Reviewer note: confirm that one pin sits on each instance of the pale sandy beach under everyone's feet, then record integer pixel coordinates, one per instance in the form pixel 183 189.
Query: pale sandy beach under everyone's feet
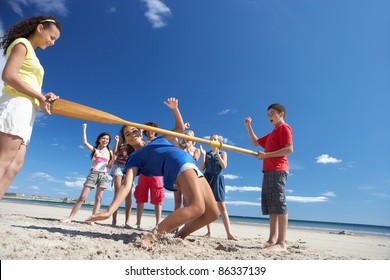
pixel 34 232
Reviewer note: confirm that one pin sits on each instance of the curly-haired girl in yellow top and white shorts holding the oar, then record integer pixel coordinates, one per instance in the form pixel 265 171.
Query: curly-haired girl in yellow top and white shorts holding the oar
pixel 22 91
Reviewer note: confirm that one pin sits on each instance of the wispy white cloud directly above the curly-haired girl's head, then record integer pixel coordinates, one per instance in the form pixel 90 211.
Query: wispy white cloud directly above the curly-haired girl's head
pixel 45 6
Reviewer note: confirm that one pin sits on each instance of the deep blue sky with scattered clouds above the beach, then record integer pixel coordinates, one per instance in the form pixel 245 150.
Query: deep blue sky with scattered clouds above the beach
pixel 326 61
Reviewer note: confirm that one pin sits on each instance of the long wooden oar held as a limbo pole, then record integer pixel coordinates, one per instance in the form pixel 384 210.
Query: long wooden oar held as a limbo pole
pixel 74 110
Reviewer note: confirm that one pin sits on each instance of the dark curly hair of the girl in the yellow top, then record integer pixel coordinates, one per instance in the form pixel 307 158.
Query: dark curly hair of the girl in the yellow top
pixel 24 28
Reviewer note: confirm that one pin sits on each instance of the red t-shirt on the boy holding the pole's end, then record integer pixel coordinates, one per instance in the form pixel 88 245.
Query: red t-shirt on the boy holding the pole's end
pixel 273 141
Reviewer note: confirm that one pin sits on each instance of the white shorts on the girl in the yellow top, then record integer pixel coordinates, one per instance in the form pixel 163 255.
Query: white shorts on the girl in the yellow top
pixel 17 116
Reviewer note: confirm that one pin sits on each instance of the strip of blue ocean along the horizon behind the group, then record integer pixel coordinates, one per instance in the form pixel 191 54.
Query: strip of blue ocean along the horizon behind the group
pixel 299 224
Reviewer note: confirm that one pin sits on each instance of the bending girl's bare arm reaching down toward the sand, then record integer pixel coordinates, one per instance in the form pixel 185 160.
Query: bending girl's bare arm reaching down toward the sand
pixel 118 199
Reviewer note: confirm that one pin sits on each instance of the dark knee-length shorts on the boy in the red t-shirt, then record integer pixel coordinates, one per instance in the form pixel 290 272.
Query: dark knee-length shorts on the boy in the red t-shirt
pixel 273 193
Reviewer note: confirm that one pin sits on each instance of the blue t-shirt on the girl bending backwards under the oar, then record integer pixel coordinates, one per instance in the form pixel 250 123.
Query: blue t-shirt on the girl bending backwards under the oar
pixel 160 158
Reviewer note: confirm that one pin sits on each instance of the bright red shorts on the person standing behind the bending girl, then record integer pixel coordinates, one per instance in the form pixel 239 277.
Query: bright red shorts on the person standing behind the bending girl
pixel 152 183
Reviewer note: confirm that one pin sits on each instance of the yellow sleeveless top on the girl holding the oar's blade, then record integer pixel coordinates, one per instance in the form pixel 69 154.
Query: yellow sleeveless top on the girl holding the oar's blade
pixel 31 72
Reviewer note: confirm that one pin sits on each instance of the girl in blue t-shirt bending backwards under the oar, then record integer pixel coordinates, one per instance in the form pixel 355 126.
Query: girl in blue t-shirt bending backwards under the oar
pixel 162 158
